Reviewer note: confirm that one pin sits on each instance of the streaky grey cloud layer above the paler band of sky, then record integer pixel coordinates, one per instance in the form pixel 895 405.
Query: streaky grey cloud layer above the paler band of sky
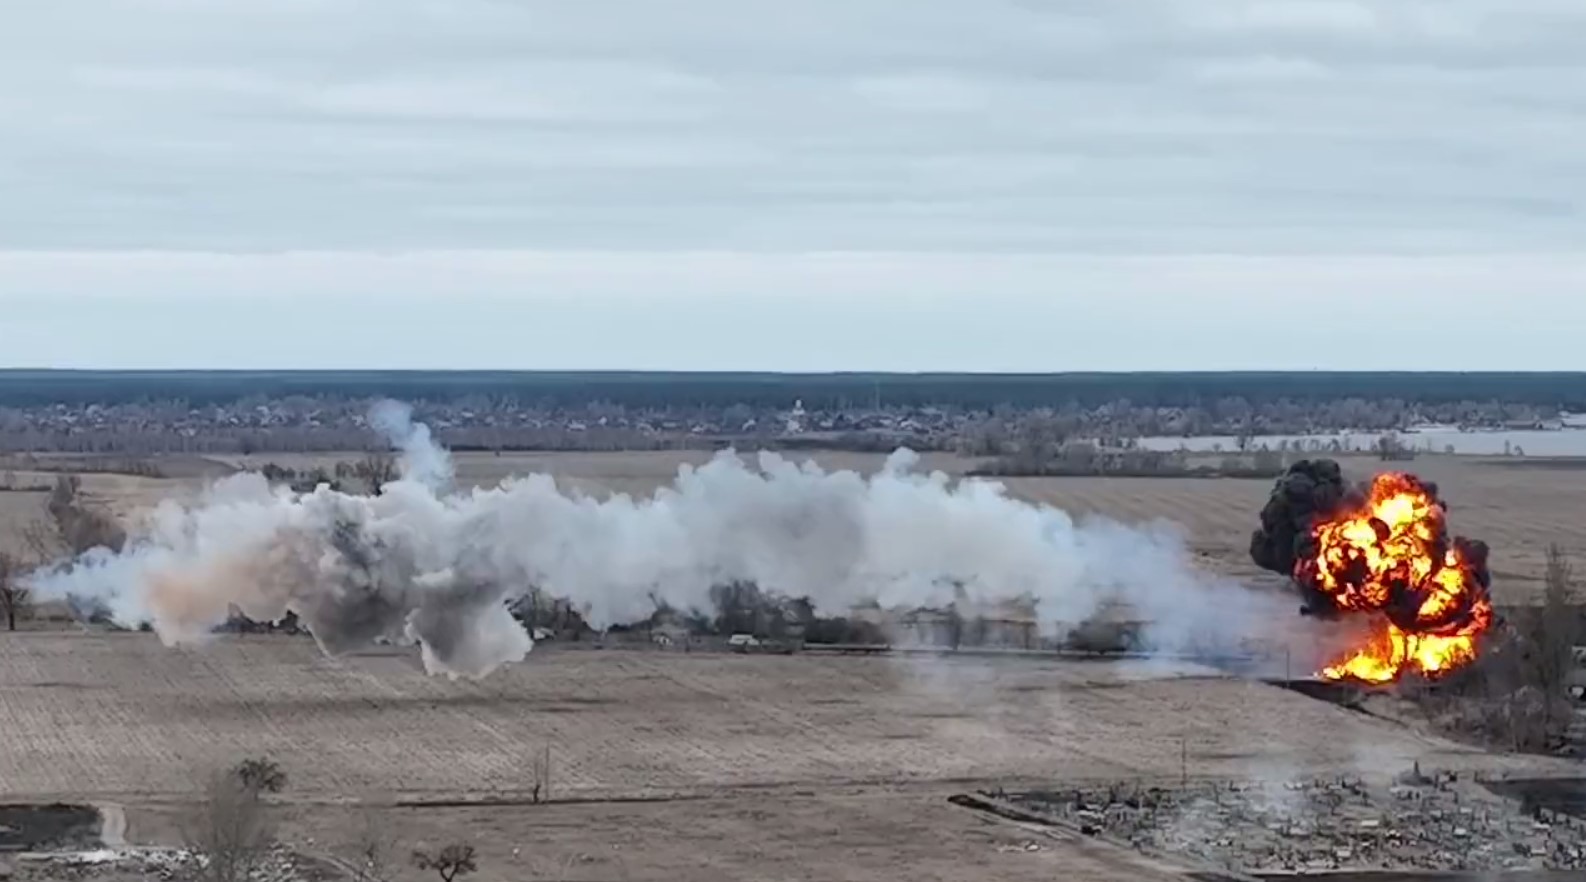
pixel 1087 126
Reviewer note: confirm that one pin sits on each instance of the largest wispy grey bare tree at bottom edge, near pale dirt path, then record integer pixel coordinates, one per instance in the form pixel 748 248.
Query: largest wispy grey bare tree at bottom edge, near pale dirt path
pixel 229 829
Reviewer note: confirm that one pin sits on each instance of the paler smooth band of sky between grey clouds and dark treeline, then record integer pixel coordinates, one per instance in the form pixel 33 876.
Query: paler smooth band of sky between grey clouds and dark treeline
pixel 780 312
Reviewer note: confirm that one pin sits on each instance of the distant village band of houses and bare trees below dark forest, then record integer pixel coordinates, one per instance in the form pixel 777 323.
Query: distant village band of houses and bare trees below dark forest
pixel 477 423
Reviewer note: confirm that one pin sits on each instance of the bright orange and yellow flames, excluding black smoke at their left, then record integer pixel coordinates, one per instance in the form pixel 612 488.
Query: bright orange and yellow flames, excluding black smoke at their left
pixel 1392 556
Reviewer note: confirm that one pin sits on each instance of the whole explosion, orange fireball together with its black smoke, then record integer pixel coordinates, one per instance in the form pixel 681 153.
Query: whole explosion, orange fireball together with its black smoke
pixel 1381 550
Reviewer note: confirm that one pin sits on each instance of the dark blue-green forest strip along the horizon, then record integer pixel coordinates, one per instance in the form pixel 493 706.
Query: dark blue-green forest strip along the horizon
pixel 635 389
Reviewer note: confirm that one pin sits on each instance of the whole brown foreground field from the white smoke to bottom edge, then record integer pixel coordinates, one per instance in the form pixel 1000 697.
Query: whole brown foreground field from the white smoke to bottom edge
pixel 765 767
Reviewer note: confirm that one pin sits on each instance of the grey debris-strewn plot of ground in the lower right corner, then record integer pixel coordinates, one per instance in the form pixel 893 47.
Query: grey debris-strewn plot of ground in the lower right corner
pixel 1414 823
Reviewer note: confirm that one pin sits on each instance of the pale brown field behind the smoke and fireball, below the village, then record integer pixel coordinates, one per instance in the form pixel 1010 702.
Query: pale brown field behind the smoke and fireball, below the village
pixel 1519 512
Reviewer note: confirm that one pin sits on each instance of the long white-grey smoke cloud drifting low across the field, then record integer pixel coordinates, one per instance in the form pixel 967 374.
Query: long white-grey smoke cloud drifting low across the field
pixel 423 564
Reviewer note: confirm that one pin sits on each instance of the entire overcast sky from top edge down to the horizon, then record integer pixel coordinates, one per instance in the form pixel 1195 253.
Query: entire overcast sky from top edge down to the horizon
pixel 814 185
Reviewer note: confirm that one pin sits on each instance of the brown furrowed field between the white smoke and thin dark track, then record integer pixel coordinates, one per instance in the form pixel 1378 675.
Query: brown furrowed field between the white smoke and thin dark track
pixel 121 716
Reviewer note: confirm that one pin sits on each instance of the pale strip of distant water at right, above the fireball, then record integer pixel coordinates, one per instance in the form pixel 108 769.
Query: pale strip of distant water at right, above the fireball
pixel 1531 443
